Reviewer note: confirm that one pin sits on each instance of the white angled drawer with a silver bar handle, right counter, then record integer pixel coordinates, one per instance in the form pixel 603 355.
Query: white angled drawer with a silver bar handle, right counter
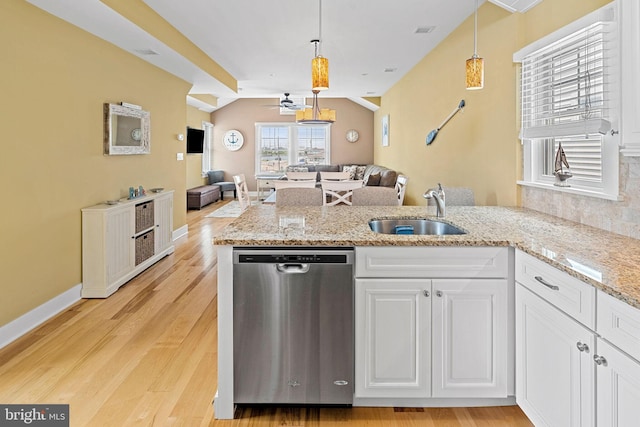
pixel 569 294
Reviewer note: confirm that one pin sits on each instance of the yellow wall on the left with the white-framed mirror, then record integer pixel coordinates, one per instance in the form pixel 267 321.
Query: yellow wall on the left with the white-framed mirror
pixel 55 79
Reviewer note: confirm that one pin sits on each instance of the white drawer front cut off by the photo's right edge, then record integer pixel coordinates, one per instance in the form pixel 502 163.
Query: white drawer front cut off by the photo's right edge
pixel 619 323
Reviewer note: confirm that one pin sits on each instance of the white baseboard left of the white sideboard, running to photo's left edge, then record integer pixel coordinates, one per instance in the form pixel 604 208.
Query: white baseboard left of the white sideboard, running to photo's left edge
pixel 23 324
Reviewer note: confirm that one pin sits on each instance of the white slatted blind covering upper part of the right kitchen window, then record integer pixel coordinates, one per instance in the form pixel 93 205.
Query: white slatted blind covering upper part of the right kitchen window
pixel 566 85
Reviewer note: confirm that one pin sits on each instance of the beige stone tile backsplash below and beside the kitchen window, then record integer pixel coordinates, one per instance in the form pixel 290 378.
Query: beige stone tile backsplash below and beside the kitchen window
pixel 621 217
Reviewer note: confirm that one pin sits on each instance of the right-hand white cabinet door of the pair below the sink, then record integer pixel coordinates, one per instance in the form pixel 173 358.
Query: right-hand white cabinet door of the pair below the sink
pixel 469 332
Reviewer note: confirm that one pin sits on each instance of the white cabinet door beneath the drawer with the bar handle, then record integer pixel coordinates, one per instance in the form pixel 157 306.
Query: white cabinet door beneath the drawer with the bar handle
pixel 554 378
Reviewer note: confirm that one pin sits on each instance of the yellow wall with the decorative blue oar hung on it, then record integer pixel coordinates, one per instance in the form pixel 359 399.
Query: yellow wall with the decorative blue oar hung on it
pixel 479 147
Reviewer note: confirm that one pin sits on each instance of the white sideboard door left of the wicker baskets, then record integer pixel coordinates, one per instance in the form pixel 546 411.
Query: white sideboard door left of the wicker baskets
pixel 120 246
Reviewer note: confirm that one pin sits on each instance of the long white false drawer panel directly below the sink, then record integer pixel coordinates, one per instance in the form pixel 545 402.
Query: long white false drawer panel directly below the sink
pixel 432 262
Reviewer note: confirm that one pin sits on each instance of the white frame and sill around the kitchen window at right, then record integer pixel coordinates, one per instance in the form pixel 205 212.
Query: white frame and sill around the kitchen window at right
pixel 534 148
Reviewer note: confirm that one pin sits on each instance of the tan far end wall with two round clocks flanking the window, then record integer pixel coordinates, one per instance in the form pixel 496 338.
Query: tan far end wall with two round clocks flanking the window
pixel 244 113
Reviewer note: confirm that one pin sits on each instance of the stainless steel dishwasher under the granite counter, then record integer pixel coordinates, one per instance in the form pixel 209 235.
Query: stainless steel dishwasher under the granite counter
pixel 293 326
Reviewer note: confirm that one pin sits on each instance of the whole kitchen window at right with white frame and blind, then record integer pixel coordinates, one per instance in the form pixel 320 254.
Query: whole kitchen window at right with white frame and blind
pixel 568 94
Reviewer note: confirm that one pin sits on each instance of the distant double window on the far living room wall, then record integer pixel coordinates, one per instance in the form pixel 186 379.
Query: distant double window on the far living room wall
pixel 282 144
